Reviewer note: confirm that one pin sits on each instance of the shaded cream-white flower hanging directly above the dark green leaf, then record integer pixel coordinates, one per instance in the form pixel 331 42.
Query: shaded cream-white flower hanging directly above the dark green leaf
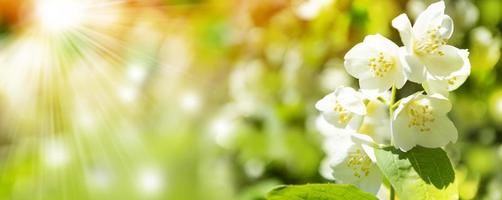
pixel 421 120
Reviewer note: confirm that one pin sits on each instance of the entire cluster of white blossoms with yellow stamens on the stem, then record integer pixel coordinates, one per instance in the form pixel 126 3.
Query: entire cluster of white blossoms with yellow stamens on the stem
pixel 382 66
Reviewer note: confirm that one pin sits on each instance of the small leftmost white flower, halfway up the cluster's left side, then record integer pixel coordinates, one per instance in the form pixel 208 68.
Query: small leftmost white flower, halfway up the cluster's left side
pixel 342 107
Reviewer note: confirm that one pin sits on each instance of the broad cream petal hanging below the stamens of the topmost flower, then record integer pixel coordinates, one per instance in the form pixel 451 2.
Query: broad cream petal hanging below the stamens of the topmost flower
pixel 444 65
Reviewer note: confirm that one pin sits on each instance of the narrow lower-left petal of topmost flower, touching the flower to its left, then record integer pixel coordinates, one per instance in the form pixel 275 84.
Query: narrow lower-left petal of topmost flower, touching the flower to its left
pixel 414 69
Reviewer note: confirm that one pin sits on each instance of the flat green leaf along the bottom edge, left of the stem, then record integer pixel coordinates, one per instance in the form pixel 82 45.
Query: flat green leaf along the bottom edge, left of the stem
pixel 319 192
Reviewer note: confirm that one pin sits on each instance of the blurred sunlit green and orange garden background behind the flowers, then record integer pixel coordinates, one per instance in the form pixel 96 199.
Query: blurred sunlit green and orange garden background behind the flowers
pixel 208 99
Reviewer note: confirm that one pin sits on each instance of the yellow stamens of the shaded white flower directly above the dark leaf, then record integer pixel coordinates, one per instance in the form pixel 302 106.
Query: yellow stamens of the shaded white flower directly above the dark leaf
pixel 420 116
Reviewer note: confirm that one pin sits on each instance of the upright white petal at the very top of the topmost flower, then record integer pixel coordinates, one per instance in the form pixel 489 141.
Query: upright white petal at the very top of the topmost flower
pixel 424 20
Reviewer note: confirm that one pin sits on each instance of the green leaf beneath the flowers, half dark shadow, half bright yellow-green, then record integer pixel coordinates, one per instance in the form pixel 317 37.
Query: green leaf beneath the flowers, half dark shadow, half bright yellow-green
pixel 421 173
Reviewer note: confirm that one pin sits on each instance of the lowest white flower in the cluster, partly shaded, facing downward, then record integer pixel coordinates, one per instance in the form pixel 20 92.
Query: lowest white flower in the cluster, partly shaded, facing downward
pixel 352 160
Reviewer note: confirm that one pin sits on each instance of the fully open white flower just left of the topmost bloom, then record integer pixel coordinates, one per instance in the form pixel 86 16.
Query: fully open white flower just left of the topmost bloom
pixel 375 62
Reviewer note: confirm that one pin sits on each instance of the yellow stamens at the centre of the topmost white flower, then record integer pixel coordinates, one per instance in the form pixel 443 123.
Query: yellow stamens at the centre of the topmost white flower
pixel 429 44
